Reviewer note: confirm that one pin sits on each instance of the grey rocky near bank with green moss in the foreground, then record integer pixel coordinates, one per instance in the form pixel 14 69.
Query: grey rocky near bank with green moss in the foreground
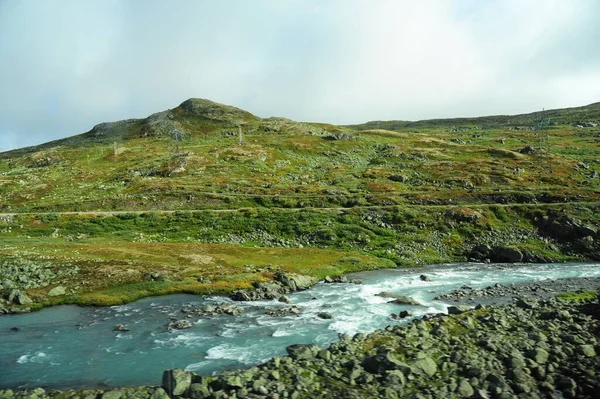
pixel 533 348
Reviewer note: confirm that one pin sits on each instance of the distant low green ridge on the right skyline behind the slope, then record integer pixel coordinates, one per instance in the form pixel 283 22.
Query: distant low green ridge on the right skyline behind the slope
pixel 557 116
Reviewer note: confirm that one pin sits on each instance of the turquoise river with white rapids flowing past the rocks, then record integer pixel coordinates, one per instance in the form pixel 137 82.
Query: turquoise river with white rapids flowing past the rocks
pixel 71 347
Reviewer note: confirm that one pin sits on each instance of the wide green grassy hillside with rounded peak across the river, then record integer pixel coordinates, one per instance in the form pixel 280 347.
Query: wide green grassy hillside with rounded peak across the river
pixel 415 196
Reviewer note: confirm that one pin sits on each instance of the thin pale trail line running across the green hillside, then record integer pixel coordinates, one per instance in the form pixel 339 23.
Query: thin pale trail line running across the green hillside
pixel 172 211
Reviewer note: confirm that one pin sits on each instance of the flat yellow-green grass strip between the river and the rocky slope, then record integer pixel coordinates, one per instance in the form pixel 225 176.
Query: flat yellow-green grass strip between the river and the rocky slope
pixel 115 272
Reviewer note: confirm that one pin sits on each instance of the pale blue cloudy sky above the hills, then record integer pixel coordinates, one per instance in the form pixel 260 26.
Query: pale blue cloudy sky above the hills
pixel 67 65
